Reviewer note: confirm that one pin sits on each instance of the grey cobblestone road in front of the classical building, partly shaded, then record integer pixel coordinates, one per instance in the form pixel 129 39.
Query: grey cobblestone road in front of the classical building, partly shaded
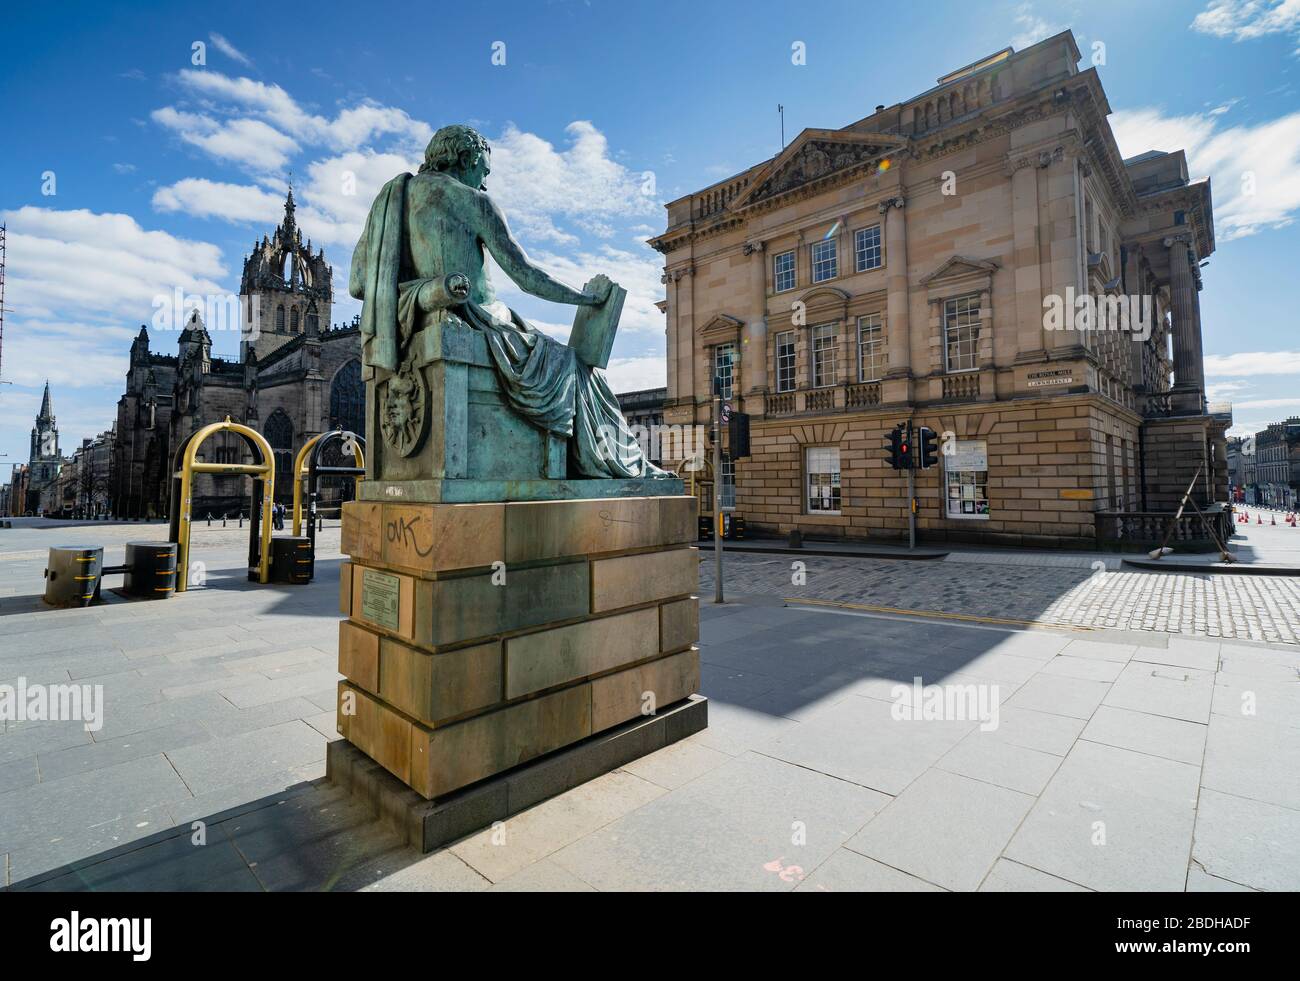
pixel 1240 607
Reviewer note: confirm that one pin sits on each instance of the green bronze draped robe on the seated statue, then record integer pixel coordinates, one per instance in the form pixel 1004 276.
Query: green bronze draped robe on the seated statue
pixel 543 380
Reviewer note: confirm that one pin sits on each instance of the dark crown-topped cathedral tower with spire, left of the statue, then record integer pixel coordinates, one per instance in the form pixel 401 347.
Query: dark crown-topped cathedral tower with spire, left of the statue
pixel 287 290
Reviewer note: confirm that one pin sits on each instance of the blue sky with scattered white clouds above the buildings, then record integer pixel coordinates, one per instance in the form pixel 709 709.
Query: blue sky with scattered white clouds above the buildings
pixel 166 172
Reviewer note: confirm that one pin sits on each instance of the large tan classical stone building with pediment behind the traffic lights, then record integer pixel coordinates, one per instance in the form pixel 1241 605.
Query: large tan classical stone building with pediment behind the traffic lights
pixel 929 263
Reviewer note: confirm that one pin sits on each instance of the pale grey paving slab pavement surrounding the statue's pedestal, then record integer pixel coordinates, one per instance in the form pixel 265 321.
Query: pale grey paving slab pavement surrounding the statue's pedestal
pixel 1120 759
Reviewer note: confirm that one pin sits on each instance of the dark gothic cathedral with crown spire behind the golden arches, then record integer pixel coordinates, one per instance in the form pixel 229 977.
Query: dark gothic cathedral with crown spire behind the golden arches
pixel 296 377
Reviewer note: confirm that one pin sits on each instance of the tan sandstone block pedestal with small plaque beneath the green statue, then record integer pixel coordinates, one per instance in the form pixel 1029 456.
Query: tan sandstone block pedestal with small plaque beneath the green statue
pixel 483 636
